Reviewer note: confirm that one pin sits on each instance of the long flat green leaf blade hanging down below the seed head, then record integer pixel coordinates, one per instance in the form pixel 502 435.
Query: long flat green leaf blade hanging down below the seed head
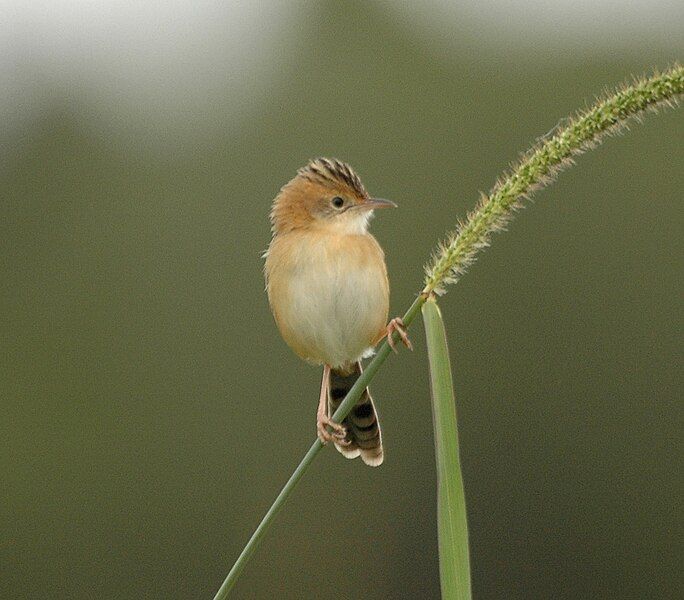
pixel 452 526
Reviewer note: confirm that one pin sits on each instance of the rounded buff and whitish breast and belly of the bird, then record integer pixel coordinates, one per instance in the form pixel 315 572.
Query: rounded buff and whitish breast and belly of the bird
pixel 330 298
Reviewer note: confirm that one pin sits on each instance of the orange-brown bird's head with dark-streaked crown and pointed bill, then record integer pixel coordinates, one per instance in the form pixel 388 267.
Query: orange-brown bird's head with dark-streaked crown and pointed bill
pixel 326 193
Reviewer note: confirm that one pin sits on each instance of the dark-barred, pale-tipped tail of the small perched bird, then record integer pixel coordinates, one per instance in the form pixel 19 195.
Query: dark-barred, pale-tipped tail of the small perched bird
pixel 363 428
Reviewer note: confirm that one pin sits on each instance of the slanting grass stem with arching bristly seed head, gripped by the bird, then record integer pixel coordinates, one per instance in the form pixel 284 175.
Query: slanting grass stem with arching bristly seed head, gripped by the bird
pixel 536 169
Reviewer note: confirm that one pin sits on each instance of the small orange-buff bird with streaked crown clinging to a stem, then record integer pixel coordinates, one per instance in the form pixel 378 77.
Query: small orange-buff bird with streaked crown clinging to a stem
pixel 328 290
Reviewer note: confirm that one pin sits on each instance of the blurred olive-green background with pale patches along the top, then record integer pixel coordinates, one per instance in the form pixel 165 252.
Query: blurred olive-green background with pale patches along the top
pixel 150 410
